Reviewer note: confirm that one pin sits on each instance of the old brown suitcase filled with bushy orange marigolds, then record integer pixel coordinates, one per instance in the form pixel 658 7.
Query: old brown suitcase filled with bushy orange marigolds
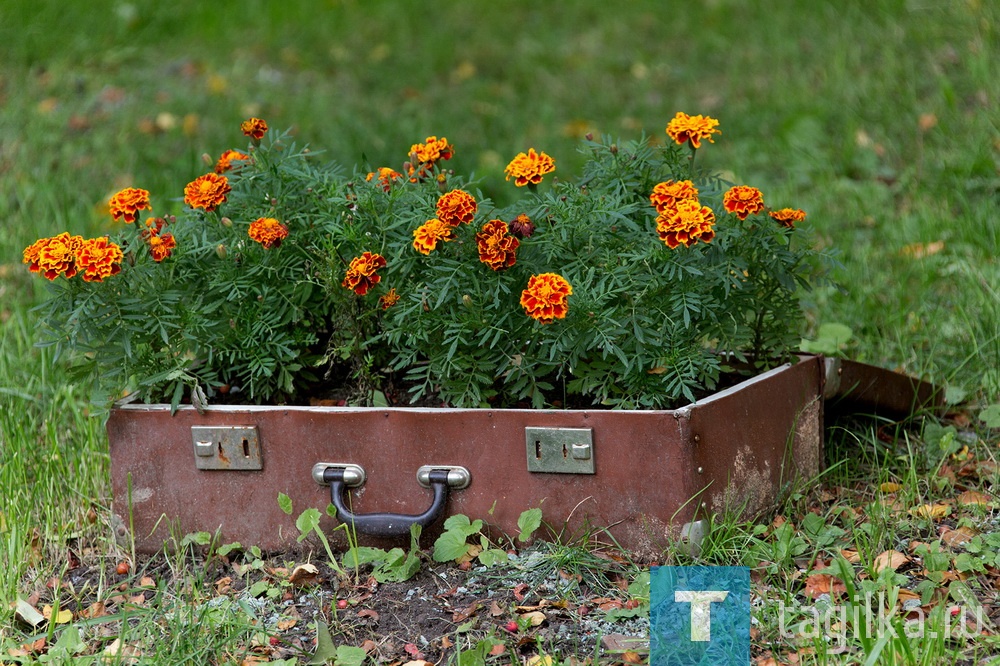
pixel 642 283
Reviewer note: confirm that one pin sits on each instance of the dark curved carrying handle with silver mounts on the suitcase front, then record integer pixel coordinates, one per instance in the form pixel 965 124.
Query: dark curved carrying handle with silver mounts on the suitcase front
pixel 438 479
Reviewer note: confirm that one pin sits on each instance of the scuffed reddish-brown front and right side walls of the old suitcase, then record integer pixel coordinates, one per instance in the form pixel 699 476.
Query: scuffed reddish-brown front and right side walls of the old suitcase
pixel 653 471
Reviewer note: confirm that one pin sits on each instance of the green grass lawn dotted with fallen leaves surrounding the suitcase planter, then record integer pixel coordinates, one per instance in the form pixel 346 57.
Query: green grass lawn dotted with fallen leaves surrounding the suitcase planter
pixel 878 118
